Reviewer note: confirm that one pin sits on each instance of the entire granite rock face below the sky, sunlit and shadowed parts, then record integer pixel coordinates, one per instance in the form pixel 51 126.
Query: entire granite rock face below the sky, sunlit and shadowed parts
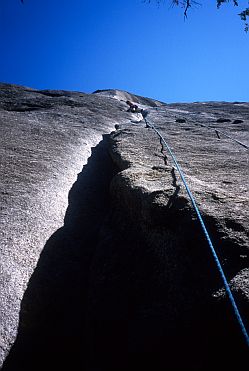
pixel 102 257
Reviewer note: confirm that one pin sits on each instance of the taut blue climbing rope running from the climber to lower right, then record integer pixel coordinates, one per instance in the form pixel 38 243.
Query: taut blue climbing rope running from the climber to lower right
pixel 220 269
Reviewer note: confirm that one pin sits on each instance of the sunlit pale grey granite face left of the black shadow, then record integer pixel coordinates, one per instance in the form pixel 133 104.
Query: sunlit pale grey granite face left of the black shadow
pixel 46 138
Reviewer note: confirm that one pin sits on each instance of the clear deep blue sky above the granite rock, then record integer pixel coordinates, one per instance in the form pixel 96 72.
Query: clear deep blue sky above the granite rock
pixel 86 45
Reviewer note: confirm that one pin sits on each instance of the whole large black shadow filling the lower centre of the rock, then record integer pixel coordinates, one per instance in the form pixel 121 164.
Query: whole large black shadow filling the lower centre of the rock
pixel 114 292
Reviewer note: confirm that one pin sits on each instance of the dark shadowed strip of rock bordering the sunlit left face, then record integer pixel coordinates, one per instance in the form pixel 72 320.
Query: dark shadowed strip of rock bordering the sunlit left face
pixel 52 327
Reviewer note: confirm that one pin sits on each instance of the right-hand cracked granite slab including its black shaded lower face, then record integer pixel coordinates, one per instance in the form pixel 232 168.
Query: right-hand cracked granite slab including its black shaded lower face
pixel 157 270
